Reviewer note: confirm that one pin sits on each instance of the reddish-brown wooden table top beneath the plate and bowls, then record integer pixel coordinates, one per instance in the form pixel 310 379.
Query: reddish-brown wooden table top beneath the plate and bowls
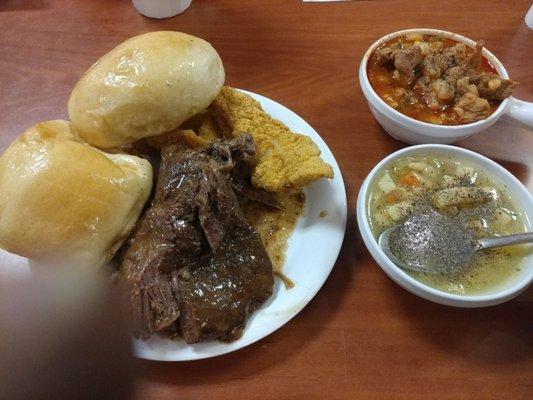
pixel 362 336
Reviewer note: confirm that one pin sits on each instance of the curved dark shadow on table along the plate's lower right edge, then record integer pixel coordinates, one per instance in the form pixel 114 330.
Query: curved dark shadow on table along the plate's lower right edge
pixel 273 350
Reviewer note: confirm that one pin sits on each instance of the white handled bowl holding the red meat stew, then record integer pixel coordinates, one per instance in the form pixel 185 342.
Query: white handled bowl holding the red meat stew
pixel 412 131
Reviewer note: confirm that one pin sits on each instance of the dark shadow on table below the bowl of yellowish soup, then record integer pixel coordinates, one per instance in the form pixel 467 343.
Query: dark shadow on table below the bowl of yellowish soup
pixel 495 335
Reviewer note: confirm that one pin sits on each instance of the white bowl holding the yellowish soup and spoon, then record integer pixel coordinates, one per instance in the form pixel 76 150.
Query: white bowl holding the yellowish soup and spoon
pixel 521 197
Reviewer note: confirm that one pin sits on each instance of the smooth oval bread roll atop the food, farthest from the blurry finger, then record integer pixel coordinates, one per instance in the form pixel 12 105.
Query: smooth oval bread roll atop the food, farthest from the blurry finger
pixel 146 86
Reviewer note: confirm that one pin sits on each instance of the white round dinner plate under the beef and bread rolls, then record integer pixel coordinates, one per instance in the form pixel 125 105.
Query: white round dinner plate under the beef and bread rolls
pixel 312 251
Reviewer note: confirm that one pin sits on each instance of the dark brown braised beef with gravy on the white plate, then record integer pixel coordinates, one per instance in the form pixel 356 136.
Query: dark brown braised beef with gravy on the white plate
pixel 195 266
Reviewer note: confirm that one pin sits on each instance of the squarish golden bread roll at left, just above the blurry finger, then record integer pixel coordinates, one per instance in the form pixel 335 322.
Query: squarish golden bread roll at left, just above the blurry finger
pixel 61 199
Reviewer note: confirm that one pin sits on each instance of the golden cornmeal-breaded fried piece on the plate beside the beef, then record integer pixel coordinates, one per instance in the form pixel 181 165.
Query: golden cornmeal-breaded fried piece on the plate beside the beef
pixel 285 160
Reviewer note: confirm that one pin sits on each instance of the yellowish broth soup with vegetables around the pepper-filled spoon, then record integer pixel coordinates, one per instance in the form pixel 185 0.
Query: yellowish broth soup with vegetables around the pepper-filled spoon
pixel 465 193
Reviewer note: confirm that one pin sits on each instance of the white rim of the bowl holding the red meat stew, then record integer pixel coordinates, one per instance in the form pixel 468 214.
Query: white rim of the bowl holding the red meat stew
pixel 406 120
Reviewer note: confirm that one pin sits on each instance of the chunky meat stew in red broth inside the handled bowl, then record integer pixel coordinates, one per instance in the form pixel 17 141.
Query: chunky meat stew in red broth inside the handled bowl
pixel 436 79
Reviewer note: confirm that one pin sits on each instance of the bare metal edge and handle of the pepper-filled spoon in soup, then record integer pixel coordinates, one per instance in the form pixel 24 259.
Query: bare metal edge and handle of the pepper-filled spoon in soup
pixel 480 244
